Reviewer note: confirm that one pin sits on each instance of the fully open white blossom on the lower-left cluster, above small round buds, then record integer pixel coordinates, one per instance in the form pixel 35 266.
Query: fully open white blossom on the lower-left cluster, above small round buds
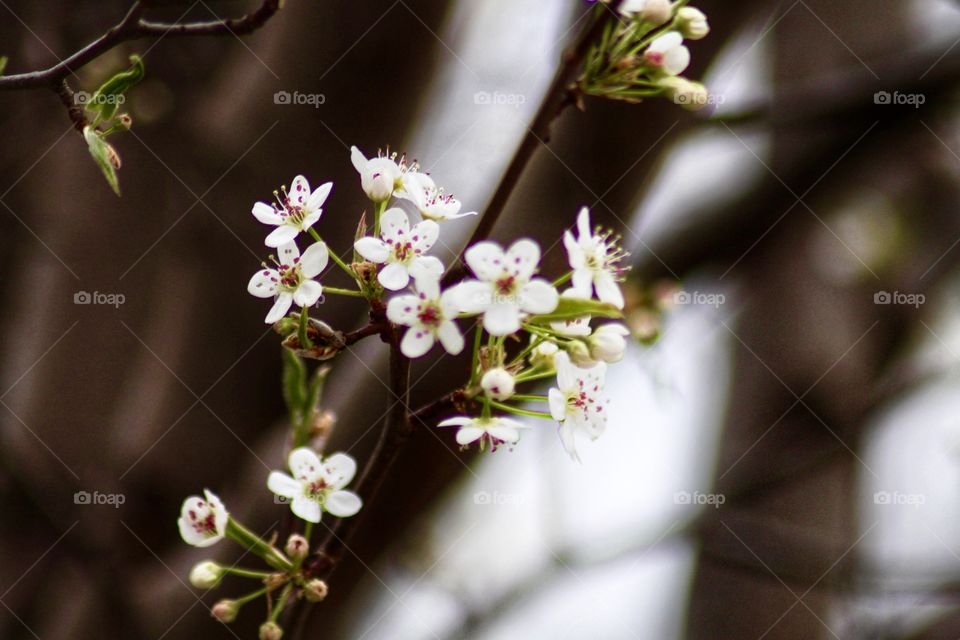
pixel 317 485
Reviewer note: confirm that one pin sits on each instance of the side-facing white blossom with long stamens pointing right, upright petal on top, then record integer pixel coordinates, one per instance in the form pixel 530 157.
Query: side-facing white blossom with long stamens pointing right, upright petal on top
pixel 595 259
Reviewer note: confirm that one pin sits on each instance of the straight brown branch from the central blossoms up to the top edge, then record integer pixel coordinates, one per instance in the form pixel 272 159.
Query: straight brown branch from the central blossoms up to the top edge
pixel 561 93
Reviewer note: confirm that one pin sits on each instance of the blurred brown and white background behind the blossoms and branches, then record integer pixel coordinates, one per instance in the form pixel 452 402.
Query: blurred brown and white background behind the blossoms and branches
pixel 783 462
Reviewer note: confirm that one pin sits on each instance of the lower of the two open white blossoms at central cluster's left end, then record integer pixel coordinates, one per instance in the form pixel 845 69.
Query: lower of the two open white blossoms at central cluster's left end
pixel 292 279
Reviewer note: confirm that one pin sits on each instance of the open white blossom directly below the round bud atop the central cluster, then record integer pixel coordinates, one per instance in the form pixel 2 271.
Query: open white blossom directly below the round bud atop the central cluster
pixel 402 249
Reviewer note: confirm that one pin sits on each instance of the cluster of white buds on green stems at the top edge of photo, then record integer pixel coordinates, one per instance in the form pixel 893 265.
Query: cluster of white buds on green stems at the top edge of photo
pixel 644 55
